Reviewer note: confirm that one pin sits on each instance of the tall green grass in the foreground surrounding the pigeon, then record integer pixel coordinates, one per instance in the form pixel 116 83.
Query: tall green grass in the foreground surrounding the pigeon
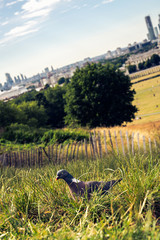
pixel 35 206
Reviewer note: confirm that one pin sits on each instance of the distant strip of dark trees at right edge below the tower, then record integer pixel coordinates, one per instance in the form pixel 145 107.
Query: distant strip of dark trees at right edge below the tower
pixel 153 61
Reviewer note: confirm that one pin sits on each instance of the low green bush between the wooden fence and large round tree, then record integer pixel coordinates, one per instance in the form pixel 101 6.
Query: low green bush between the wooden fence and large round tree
pixel 61 136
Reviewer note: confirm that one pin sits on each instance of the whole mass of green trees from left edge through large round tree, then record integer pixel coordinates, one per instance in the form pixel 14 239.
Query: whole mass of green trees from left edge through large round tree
pixel 96 95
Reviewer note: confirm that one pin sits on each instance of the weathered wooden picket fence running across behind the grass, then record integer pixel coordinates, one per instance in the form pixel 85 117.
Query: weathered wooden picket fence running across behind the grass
pixel 99 145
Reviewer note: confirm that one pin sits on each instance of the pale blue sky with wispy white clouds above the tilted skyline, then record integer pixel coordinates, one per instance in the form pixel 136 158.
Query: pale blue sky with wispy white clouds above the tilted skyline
pixel 35 34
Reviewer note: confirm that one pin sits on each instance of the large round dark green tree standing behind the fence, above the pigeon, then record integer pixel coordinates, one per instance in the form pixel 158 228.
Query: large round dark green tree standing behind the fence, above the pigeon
pixel 99 96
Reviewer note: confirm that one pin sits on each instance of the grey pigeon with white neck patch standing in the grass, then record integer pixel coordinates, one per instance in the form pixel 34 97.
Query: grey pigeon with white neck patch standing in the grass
pixel 80 188
